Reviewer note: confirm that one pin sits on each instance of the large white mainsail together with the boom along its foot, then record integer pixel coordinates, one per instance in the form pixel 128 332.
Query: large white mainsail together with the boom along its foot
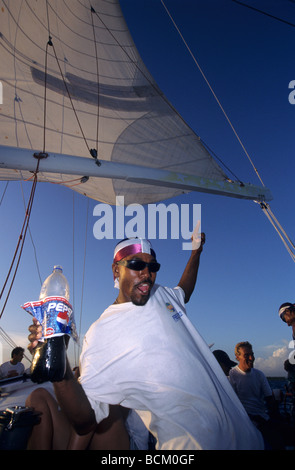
pixel 76 90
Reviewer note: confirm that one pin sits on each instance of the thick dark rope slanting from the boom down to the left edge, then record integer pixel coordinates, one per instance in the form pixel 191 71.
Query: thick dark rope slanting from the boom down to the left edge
pixel 21 241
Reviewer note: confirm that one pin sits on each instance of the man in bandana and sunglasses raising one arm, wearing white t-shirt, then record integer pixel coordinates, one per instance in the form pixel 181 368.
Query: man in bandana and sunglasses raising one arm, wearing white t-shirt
pixel 144 354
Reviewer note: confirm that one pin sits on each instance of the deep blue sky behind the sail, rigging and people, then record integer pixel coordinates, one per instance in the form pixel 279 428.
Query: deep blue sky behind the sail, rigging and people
pixel 245 271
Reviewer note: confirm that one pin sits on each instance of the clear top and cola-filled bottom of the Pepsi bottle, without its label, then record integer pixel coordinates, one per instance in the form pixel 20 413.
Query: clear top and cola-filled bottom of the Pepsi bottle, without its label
pixel 49 361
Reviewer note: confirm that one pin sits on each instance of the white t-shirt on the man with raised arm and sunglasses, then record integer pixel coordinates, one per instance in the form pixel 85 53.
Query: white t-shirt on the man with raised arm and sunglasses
pixel 151 358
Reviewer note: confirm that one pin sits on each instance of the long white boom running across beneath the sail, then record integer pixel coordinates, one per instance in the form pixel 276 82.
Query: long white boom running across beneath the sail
pixel 24 160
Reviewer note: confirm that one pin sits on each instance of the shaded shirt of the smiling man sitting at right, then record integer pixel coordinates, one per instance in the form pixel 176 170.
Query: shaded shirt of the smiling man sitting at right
pixel 251 387
